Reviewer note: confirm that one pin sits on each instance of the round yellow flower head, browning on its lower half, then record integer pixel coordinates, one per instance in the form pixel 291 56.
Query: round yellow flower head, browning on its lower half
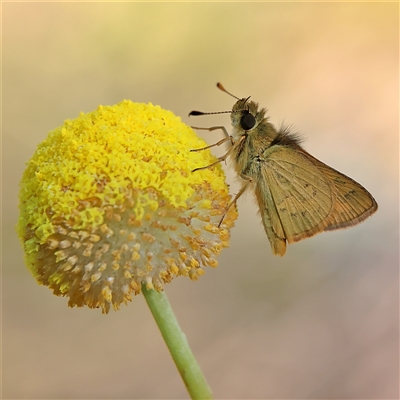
pixel 109 202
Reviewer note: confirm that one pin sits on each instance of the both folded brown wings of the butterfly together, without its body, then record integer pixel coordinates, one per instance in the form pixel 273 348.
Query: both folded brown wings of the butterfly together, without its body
pixel 299 196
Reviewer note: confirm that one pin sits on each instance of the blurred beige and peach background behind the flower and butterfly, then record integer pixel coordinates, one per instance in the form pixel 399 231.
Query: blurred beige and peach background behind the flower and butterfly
pixel 322 322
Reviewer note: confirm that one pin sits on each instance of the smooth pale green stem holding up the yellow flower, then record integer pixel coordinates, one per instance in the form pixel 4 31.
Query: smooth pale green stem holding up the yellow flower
pixel 177 344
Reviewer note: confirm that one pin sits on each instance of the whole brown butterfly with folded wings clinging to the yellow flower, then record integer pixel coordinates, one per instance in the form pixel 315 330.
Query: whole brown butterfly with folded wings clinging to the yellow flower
pixel 298 195
